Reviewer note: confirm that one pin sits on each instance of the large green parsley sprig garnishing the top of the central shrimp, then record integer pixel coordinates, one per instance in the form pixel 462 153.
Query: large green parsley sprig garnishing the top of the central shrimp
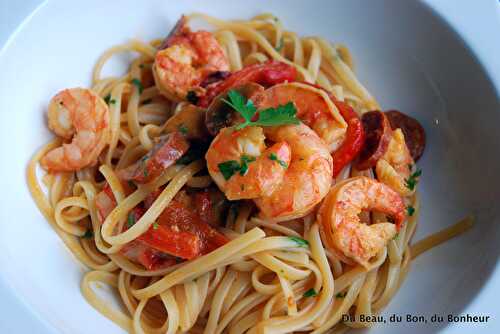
pixel 281 115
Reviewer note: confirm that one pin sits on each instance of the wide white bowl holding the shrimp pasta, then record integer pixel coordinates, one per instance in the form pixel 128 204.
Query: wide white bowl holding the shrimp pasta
pixel 408 58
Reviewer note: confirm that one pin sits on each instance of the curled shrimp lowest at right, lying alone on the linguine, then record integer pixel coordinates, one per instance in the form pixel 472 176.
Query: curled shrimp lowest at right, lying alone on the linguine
pixel 343 233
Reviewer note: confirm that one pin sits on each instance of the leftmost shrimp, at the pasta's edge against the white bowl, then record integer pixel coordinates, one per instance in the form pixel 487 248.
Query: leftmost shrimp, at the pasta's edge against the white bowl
pixel 81 115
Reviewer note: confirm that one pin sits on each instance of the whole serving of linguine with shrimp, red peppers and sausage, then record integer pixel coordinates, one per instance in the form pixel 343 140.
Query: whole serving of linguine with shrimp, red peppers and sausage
pixel 240 180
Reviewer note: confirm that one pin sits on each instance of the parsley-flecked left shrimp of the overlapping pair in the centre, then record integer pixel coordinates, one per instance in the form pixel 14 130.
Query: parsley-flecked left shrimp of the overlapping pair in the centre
pixel 239 163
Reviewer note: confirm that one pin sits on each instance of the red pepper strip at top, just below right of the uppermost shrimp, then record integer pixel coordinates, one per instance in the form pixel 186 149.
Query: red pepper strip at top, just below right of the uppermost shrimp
pixel 267 74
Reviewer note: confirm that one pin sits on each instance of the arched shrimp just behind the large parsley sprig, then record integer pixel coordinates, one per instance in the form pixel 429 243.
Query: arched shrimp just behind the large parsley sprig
pixel 314 108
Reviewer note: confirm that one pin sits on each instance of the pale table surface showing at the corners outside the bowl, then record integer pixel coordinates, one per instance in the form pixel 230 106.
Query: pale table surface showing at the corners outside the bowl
pixel 478 23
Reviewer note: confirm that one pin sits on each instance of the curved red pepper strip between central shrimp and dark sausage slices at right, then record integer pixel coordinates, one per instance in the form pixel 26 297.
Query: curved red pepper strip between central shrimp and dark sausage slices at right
pixel 354 139
